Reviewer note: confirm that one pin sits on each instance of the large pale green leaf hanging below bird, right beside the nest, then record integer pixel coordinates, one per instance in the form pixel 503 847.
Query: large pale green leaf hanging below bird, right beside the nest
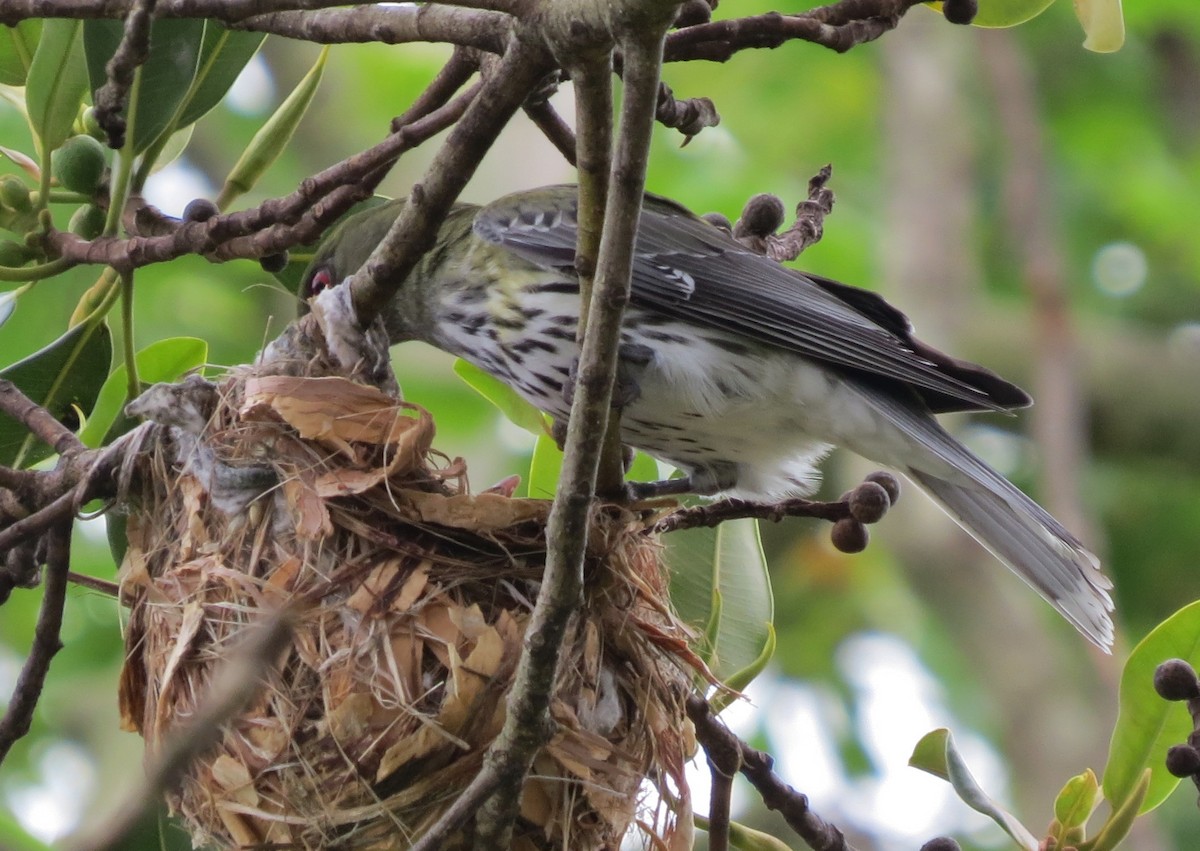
pixel 721 584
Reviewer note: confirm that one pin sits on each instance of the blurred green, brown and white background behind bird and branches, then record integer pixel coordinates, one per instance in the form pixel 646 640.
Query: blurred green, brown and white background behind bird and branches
pixel 1031 206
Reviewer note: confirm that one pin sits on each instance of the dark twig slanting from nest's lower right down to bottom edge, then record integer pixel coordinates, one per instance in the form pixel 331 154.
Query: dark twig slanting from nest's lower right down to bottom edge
pixel 757 768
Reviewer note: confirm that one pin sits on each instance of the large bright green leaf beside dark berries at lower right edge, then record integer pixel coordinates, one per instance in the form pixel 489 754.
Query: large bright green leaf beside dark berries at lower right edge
pixel 1147 724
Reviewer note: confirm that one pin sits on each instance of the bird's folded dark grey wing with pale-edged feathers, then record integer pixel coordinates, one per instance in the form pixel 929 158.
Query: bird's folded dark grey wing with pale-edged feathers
pixel 688 269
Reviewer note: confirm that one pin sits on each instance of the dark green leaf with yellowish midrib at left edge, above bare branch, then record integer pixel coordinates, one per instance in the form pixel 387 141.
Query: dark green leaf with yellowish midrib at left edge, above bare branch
pixel 64 376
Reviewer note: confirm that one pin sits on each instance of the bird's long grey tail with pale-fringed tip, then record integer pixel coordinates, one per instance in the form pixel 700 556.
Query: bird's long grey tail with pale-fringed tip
pixel 1015 529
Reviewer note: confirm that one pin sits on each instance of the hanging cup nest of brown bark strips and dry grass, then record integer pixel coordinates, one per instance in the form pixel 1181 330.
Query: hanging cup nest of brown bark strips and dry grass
pixel 410 600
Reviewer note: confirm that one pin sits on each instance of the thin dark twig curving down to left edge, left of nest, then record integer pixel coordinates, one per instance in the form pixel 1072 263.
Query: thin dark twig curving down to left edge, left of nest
pixel 47 644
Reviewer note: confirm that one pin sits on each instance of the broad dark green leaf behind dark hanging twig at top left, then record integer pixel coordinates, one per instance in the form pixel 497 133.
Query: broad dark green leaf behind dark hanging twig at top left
pixel 161 83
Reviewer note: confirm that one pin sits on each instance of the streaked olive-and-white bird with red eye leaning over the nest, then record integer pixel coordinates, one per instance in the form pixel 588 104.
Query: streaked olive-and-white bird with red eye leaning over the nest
pixel 737 370
